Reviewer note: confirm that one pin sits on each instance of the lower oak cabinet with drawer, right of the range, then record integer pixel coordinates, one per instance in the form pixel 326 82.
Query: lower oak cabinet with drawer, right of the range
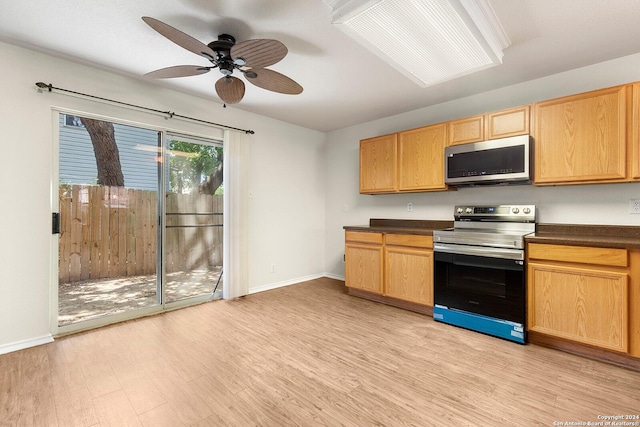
pixel 579 294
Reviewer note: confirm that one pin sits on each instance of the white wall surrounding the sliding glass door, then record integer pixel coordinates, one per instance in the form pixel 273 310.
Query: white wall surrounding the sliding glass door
pixel 286 213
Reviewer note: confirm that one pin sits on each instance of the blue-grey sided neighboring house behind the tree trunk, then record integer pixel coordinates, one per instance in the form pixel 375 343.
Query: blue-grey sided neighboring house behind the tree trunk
pixel 137 147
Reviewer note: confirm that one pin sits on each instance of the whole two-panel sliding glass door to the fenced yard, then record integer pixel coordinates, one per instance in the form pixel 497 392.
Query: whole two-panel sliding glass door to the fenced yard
pixel 122 250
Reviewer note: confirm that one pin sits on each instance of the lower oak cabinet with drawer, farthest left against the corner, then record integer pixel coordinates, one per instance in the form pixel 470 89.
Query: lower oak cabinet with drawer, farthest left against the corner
pixel 364 261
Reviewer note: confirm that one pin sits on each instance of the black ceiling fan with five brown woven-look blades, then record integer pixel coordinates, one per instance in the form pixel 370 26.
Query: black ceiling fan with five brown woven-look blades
pixel 249 57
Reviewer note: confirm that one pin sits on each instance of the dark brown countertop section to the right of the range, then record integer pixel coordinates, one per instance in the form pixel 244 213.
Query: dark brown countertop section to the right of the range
pixel 603 236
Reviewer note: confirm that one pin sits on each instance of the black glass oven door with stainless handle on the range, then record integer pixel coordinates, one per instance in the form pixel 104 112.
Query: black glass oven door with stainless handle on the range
pixel 485 281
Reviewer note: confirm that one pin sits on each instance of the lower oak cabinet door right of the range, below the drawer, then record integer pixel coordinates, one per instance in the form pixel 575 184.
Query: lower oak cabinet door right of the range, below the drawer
pixel 589 306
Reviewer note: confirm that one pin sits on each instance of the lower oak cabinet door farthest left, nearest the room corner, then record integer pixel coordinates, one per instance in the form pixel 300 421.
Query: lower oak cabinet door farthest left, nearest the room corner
pixel 363 267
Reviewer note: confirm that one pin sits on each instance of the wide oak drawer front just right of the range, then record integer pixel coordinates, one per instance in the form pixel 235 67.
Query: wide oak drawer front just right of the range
pixel 579 254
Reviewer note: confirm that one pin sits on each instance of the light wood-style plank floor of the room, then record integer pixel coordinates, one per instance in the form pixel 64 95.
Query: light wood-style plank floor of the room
pixel 304 355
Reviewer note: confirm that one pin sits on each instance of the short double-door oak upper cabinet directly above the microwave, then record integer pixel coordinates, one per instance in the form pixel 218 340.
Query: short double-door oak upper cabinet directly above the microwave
pixel 498 124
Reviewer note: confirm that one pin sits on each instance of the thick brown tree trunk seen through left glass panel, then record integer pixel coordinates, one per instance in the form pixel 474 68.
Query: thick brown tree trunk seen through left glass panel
pixel 106 150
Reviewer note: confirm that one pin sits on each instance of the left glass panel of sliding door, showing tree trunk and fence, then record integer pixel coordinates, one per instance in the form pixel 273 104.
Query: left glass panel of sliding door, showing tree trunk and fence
pixel 108 215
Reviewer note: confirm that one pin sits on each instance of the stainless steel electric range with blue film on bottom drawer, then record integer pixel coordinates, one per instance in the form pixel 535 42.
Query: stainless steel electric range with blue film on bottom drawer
pixel 479 269
